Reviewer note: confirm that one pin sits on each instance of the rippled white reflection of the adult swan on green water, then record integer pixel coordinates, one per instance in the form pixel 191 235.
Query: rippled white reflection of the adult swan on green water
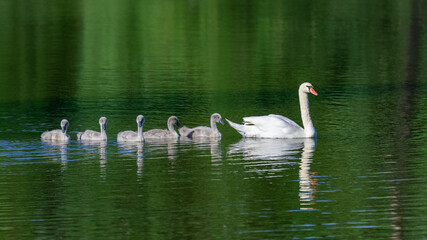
pixel 278 152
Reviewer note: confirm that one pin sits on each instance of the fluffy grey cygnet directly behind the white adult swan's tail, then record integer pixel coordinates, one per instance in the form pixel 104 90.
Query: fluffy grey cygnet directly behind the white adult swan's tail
pixel 202 131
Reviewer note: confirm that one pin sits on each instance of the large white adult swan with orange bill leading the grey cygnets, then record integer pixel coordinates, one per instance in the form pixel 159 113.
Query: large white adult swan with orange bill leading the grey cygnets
pixel 276 126
